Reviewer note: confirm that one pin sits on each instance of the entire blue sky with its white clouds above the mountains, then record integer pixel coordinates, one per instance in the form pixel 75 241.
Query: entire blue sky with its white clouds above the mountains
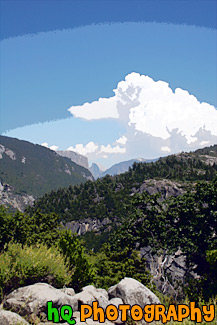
pixel 61 54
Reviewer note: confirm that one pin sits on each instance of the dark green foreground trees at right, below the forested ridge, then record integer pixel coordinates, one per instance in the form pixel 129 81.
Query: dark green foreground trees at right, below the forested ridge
pixel 188 222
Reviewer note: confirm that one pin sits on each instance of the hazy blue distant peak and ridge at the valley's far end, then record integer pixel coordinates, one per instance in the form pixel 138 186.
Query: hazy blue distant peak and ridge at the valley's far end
pixel 116 169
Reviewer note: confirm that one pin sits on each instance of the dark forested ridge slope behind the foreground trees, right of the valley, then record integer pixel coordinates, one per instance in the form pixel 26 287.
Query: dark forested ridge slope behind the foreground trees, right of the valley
pixel 106 197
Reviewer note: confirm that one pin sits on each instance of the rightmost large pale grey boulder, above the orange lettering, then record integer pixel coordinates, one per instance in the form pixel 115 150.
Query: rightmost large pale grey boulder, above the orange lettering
pixel 133 292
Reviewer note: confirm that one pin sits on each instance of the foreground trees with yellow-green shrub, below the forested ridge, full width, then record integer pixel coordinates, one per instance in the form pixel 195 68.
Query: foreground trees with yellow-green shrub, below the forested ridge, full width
pixel 186 224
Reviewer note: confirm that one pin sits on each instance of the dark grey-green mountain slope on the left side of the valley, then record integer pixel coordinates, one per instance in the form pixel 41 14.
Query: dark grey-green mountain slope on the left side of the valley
pixel 34 170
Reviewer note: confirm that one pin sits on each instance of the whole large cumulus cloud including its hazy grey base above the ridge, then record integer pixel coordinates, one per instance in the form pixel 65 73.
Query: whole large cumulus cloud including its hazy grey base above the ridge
pixel 156 118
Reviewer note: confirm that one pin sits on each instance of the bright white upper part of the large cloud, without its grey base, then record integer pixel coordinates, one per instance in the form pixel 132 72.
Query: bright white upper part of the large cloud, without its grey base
pixel 151 107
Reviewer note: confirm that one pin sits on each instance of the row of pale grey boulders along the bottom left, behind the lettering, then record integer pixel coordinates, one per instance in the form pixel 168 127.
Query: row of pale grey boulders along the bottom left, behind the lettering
pixel 30 302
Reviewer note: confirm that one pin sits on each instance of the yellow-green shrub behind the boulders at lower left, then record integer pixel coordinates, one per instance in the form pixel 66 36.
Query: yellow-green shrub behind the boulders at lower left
pixel 26 265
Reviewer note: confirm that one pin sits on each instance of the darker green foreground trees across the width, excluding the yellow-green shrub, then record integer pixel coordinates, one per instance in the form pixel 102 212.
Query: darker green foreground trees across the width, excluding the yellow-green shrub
pixel 188 222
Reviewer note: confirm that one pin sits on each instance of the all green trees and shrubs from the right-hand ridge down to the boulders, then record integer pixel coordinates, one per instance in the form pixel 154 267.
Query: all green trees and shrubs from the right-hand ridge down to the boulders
pixel 187 222
